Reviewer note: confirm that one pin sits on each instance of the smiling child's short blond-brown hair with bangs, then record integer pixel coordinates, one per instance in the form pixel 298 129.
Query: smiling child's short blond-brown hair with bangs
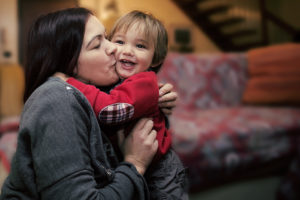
pixel 153 30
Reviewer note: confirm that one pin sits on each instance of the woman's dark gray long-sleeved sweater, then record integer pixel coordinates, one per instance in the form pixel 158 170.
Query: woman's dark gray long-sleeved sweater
pixel 61 153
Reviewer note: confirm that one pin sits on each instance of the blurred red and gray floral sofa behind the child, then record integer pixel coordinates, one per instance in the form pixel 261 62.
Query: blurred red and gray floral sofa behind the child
pixel 221 135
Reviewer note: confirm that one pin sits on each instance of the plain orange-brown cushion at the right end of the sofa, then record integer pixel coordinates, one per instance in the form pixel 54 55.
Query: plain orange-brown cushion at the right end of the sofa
pixel 274 75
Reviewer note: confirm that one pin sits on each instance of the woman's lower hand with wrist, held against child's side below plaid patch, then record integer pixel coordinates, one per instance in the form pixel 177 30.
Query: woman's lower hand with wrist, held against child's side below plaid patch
pixel 140 145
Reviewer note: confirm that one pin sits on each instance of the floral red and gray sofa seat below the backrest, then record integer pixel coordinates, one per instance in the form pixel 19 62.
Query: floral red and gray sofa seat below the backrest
pixel 222 142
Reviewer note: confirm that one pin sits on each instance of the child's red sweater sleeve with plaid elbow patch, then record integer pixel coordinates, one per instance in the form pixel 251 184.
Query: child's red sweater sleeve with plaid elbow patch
pixel 137 96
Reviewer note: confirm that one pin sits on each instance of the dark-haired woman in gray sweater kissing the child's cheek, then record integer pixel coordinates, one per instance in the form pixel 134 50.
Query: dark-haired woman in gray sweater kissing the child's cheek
pixel 60 152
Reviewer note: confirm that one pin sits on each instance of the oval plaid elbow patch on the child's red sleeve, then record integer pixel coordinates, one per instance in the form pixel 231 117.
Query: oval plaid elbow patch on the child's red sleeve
pixel 116 113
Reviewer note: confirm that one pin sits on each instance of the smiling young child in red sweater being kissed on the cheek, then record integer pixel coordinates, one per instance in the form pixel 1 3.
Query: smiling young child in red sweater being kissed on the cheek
pixel 142 47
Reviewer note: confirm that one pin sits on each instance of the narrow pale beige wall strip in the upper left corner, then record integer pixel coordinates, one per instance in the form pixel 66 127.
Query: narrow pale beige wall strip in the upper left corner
pixel 8 30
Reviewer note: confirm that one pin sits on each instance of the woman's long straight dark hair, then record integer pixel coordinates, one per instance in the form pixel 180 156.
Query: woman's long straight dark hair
pixel 53 45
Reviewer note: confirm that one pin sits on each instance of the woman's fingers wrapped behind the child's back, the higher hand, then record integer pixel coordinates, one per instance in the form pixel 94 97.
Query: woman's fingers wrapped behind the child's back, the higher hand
pixel 167 98
